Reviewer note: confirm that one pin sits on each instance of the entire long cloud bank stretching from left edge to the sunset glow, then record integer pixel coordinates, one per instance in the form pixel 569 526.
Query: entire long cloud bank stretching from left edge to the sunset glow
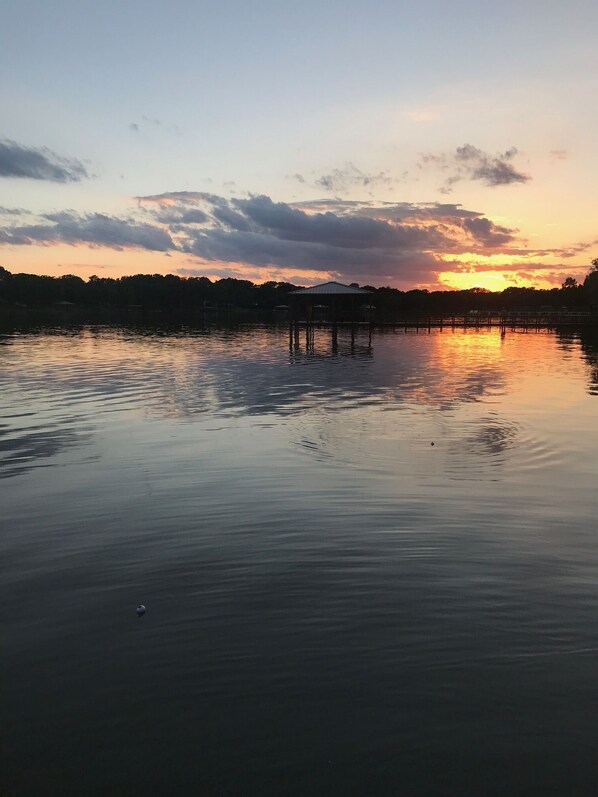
pixel 389 242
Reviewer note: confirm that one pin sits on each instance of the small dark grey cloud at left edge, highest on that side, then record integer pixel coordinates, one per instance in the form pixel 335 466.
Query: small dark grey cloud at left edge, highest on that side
pixel 38 164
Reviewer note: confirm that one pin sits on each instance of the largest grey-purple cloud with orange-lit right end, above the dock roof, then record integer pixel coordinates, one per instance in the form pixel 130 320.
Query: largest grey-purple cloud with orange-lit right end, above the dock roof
pixel 344 238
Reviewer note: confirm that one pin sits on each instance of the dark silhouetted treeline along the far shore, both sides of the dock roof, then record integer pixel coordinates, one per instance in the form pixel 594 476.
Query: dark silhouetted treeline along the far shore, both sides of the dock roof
pixel 156 292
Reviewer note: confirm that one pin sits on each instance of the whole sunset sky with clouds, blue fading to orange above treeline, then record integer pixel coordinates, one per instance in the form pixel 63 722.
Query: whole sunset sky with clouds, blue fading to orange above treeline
pixel 416 145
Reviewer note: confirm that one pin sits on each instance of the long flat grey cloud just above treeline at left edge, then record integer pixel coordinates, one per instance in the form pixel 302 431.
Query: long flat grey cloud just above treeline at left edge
pixel 95 229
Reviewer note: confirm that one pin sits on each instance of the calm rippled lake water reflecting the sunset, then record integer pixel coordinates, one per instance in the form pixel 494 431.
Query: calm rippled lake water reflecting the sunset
pixel 335 606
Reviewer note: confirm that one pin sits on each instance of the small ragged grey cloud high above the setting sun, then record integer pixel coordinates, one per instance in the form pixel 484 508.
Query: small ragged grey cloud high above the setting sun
pixel 470 163
